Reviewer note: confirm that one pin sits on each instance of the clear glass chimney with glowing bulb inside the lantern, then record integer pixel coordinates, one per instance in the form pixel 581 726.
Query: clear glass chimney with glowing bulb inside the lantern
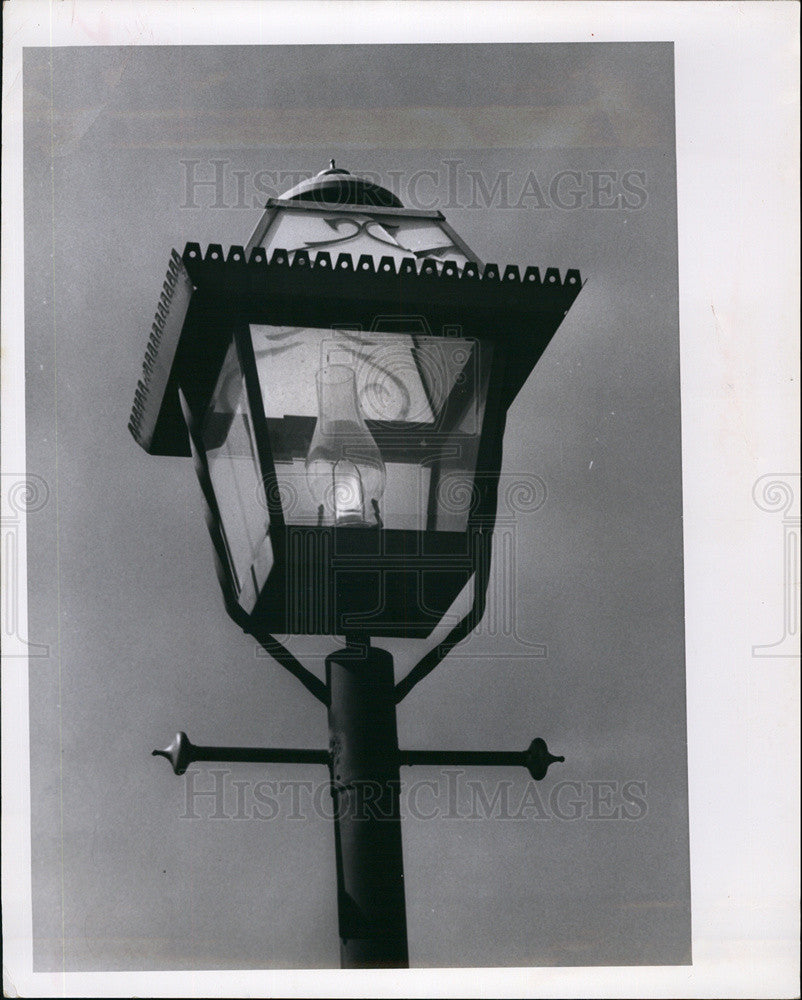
pixel 344 468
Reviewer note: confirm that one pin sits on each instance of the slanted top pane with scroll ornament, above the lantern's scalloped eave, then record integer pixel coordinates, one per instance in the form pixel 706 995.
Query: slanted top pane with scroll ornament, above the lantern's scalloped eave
pixel 360 232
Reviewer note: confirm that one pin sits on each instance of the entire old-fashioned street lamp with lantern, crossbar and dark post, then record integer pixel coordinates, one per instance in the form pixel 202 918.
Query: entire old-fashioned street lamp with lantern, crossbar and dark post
pixel 342 383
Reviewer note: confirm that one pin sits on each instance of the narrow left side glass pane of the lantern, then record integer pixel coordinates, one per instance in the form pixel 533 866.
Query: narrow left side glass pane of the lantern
pixel 228 441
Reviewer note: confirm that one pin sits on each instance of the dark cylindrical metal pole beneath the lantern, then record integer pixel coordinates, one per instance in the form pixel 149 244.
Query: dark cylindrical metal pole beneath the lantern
pixel 365 785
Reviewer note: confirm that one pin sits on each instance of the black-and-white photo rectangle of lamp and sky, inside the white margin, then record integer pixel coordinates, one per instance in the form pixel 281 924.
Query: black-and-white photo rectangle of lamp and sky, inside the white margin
pixel 355 615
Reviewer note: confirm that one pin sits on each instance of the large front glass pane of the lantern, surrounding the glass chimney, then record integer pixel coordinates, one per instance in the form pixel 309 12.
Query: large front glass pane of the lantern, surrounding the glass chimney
pixel 422 399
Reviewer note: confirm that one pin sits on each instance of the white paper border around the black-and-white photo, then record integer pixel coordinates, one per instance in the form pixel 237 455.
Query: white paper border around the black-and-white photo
pixel 737 121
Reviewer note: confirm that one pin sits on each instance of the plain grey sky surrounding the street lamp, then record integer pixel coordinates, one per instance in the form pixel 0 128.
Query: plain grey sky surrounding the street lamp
pixel 121 579
